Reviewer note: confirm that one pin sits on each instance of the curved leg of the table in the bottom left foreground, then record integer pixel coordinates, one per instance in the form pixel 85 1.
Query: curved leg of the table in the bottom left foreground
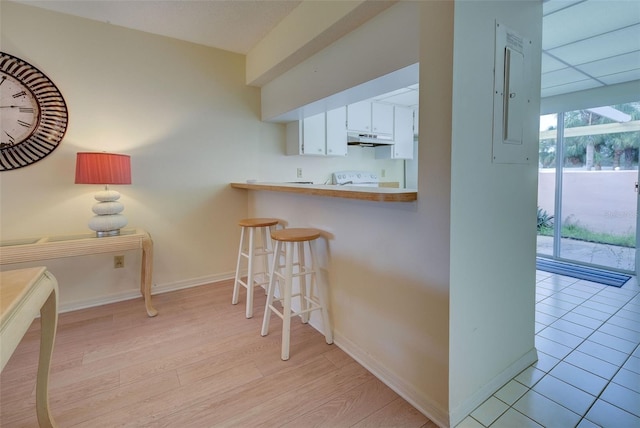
pixel 49 322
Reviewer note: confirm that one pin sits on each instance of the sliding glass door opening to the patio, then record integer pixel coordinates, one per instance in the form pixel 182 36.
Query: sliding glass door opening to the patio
pixel 587 196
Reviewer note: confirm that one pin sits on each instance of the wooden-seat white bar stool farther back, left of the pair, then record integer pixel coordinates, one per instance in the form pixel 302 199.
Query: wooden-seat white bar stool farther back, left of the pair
pixel 251 251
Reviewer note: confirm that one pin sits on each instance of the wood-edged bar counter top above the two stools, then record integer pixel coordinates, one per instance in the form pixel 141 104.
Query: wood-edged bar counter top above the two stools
pixel 377 194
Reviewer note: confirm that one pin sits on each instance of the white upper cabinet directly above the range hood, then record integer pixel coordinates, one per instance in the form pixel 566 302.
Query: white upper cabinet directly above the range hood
pixel 370 118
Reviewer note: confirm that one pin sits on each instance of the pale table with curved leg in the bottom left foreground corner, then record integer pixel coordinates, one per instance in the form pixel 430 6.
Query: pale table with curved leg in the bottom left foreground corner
pixel 23 294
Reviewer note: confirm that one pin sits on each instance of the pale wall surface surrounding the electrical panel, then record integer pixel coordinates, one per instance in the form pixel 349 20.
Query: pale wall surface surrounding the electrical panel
pixel 493 212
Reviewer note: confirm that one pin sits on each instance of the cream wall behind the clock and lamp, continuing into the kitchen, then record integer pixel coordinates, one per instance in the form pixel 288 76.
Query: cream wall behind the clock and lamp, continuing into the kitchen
pixel 191 125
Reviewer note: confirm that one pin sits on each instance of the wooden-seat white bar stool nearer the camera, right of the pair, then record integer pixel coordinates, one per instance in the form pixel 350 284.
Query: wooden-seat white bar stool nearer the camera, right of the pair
pixel 311 299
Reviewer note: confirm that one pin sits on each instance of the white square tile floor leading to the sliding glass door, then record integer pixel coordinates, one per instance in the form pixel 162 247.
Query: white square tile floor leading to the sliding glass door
pixel 588 368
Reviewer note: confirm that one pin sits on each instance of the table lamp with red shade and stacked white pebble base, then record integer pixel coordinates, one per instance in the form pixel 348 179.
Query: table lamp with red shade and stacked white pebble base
pixel 105 168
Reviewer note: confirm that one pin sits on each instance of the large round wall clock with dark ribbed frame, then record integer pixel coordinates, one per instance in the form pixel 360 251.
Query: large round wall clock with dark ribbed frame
pixel 33 114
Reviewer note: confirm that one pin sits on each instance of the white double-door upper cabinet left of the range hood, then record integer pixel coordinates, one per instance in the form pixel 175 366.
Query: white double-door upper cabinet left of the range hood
pixel 323 134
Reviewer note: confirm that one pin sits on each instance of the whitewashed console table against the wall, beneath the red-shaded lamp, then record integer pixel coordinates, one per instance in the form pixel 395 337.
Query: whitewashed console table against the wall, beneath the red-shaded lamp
pixel 55 247
